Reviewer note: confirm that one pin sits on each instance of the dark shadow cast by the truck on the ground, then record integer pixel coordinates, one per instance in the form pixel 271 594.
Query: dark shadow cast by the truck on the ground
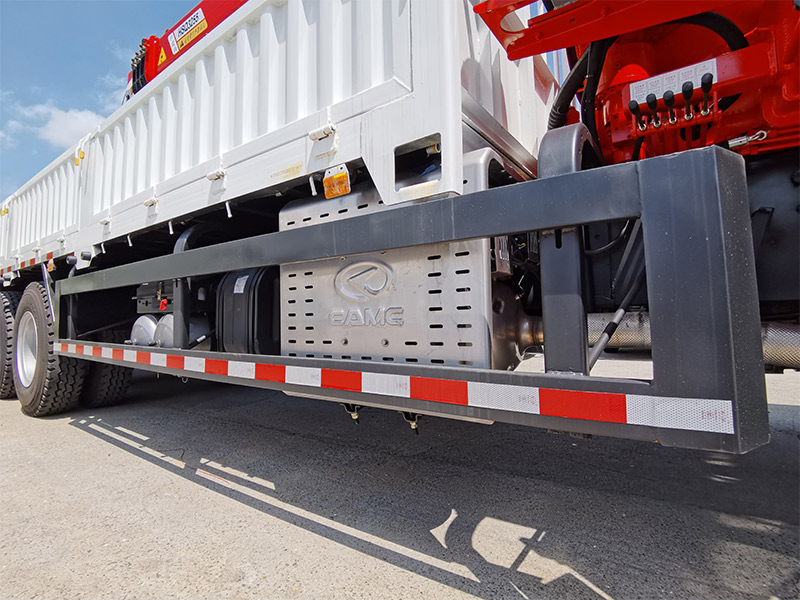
pixel 496 511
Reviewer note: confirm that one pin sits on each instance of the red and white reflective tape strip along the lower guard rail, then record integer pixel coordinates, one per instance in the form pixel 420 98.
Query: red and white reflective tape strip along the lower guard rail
pixel 692 414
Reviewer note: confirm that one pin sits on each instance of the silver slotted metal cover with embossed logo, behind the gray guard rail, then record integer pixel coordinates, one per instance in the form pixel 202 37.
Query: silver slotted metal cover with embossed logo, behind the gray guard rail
pixel 423 305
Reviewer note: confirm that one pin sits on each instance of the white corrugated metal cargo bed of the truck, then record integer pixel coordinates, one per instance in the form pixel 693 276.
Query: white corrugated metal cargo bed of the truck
pixel 248 108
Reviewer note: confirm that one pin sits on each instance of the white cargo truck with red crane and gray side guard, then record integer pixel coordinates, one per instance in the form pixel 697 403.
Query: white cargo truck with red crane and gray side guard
pixel 396 205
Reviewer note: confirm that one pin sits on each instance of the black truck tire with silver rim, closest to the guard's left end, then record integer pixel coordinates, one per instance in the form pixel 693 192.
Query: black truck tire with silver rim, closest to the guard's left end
pixel 46 383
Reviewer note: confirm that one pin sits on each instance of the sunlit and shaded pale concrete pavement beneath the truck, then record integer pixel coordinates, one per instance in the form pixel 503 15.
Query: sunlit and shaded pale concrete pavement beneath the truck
pixel 203 490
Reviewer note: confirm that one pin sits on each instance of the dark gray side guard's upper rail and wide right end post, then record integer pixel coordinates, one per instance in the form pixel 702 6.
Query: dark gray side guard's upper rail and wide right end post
pixel 701 284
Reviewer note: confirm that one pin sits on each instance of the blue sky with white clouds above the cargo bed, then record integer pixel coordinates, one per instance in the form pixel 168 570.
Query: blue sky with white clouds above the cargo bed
pixel 63 68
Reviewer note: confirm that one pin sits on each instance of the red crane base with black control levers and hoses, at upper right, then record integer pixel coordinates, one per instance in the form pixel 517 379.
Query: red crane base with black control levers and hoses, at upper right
pixel 655 77
